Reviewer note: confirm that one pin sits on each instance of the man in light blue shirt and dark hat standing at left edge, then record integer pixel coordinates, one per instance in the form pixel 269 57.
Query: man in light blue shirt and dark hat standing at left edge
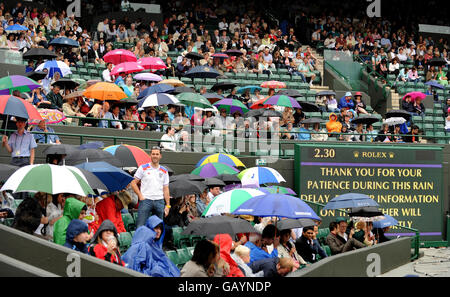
pixel 21 145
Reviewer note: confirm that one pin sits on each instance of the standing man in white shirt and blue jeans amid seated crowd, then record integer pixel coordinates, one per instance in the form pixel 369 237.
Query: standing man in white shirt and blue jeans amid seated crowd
pixel 154 196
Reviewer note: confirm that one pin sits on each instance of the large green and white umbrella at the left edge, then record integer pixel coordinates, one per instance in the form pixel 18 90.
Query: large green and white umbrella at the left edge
pixel 47 178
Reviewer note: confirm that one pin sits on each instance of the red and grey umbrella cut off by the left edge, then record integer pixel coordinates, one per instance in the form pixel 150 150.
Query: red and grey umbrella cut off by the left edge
pixel 15 106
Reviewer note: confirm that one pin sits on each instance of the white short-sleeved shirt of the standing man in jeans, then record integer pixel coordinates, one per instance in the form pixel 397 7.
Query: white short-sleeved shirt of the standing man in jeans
pixel 152 180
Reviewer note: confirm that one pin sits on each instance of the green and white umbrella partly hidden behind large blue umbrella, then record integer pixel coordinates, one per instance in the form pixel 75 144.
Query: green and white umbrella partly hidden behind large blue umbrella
pixel 229 201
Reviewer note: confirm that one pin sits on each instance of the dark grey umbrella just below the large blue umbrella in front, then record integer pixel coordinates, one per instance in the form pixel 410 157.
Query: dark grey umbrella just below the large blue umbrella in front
pixel 218 225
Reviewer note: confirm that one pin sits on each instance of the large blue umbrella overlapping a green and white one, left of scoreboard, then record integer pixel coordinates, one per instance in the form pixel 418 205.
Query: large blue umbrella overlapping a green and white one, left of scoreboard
pixel 276 205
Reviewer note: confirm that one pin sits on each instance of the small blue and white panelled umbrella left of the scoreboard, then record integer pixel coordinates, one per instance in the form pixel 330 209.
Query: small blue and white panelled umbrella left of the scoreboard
pixel 256 176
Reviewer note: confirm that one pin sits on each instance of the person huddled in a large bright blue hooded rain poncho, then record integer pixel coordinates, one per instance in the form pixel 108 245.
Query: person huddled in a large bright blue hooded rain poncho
pixel 145 254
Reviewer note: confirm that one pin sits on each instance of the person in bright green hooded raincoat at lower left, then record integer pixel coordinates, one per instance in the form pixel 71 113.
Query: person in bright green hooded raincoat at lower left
pixel 72 211
